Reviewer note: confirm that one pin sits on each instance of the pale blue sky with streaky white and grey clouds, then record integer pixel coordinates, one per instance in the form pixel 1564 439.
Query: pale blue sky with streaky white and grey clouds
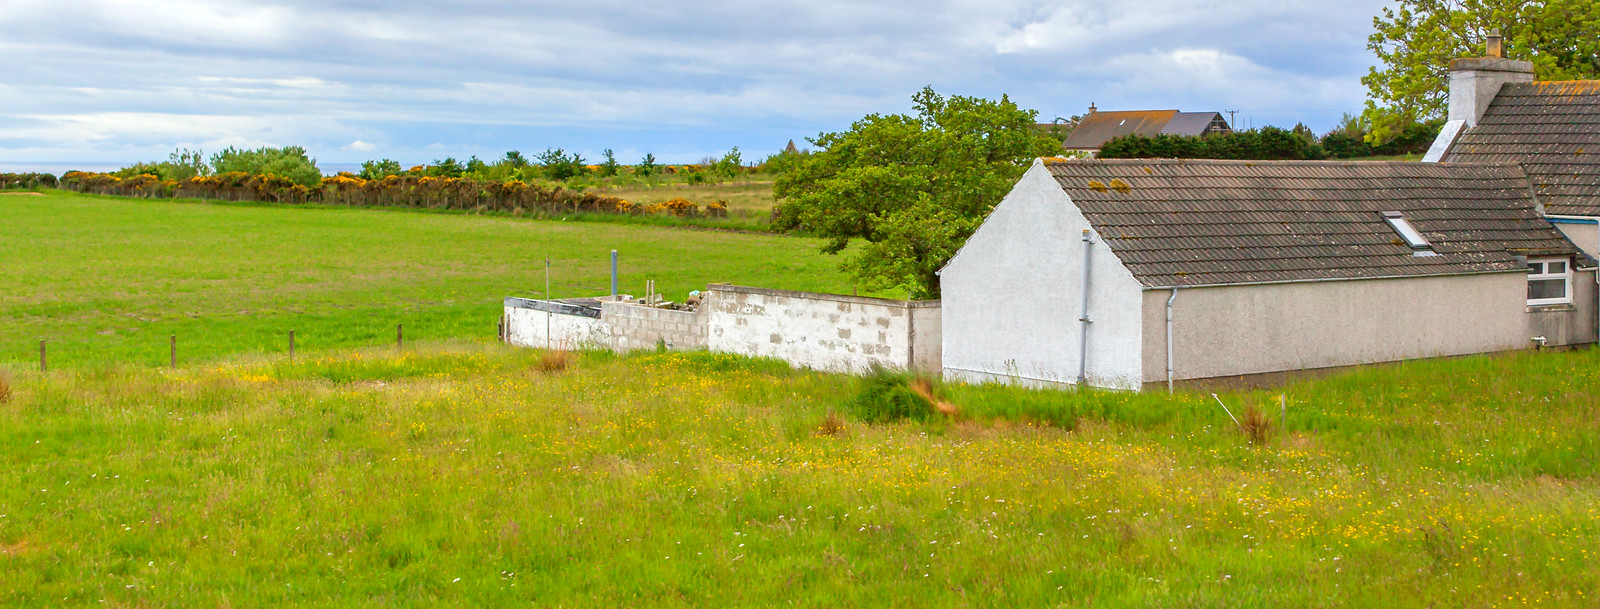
pixel 113 82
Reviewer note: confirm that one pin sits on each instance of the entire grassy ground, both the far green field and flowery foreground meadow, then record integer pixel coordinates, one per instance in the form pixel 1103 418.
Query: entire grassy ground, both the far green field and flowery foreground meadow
pixel 466 474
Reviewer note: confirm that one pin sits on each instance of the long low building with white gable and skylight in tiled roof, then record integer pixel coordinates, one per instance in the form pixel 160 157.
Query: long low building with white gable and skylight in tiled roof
pixel 1135 273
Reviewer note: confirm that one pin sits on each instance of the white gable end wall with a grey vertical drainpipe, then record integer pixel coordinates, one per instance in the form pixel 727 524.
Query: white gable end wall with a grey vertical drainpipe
pixel 1014 295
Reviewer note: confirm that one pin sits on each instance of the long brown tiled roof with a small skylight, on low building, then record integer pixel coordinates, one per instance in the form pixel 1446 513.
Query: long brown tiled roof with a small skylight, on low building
pixel 1191 223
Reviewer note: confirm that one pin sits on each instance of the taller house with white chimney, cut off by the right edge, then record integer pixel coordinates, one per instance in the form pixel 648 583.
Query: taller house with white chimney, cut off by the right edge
pixel 1498 114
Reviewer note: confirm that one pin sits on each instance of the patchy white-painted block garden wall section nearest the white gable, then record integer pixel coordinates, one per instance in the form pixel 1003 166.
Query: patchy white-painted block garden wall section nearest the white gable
pixel 823 332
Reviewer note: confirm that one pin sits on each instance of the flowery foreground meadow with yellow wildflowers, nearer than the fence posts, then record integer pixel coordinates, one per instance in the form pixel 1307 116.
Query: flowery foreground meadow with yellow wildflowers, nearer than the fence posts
pixel 478 476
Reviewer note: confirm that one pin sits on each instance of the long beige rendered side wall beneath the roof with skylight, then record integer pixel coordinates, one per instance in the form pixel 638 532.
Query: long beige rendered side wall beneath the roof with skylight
pixel 1271 328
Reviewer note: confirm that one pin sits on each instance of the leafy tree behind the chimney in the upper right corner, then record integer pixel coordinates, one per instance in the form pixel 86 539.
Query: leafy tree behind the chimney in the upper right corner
pixel 1417 42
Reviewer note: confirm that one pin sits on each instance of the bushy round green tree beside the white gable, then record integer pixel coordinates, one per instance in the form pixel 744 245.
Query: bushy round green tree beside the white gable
pixel 913 188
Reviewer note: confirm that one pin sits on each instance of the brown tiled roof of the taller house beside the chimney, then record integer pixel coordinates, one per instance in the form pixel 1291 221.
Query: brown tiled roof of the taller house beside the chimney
pixel 1553 130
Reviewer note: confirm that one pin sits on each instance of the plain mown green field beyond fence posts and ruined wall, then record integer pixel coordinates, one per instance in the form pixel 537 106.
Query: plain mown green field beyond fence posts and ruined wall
pixel 111 279
